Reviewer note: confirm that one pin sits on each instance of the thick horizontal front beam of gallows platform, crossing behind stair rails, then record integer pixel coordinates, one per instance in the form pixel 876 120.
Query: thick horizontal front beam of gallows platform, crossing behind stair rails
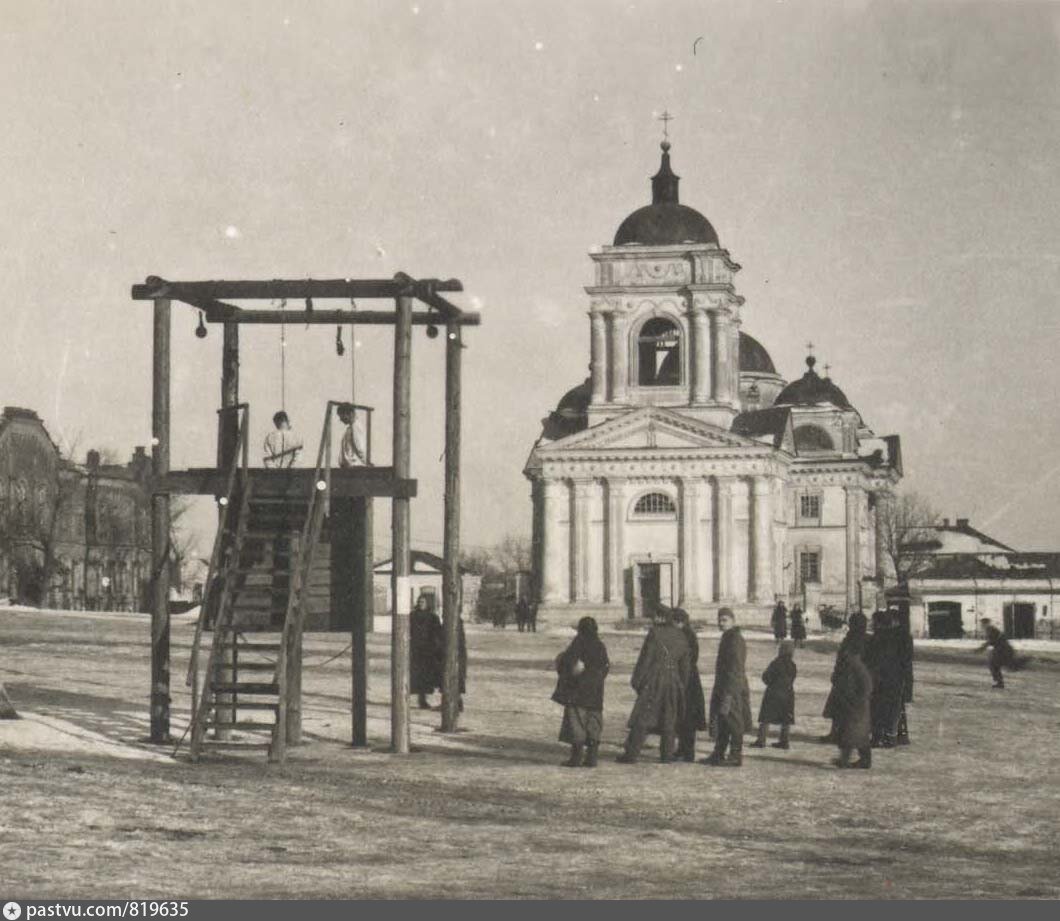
pixel 291 484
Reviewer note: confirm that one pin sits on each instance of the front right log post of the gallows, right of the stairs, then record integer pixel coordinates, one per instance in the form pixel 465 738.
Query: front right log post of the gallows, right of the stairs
pixel 400 529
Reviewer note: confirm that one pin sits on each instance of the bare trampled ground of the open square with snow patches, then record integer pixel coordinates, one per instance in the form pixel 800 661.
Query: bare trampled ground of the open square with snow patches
pixel 971 809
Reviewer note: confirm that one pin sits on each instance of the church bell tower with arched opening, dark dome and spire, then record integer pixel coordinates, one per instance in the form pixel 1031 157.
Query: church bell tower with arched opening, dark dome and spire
pixel 664 313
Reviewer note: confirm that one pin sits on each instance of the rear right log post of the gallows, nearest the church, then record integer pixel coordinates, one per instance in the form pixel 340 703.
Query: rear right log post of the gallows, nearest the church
pixel 451 574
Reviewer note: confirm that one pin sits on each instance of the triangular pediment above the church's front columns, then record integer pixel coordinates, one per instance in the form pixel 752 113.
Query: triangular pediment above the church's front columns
pixel 650 429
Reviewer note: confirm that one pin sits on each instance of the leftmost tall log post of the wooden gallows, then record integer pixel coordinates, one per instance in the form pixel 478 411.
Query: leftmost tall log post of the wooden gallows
pixel 161 528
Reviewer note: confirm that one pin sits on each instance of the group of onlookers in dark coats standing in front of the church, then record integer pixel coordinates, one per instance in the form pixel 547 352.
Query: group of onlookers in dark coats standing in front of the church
pixel 872 684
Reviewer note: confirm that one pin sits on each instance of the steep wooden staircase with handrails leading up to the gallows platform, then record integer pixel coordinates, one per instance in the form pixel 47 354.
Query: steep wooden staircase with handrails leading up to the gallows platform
pixel 256 601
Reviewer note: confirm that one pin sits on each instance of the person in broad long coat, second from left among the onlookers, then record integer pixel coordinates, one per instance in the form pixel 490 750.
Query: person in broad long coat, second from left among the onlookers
pixel 660 679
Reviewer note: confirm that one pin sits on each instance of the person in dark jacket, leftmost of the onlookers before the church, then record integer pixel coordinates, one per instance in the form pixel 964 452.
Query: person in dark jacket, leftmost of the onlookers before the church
pixel 582 668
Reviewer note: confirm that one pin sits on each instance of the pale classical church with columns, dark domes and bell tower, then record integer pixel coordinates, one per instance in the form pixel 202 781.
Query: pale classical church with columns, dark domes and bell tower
pixel 686 471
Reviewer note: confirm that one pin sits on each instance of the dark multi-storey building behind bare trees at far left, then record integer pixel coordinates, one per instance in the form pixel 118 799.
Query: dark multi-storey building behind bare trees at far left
pixel 72 536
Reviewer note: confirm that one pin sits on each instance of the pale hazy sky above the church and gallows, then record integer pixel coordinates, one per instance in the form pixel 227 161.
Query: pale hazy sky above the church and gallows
pixel 887 175
